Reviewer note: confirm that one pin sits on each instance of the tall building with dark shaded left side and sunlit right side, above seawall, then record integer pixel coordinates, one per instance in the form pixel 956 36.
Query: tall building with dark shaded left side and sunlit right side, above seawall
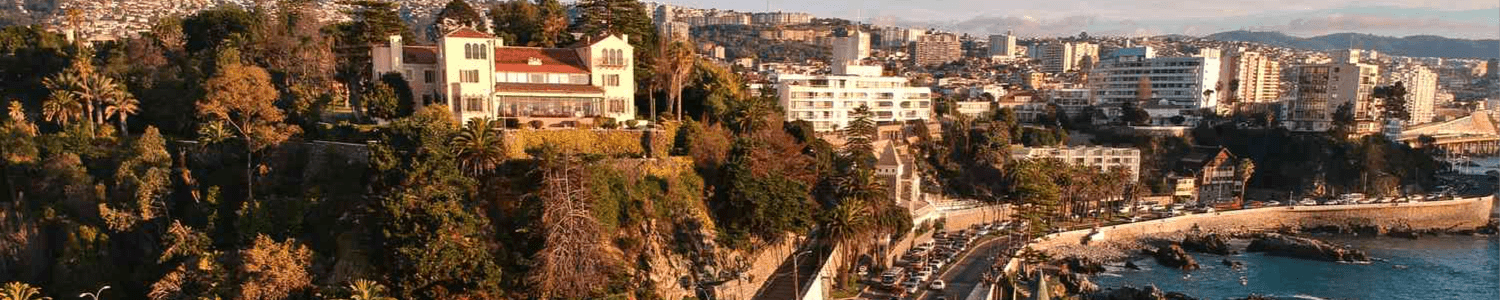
pixel 1324 88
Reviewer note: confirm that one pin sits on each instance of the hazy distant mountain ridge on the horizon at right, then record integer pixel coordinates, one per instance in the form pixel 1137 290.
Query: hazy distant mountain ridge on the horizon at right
pixel 1411 46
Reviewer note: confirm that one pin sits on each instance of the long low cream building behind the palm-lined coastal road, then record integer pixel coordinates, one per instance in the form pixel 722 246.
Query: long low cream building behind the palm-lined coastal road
pixel 1105 158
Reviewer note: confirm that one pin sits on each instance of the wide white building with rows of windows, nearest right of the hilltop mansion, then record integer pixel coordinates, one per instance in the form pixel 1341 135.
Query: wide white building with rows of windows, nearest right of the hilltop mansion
pixel 827 101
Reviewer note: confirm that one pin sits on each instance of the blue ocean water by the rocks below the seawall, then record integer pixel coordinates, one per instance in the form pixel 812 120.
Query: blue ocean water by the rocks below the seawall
pixel 1432 268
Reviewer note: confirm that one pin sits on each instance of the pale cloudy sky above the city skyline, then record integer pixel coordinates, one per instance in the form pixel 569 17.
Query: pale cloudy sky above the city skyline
pixel 1450 19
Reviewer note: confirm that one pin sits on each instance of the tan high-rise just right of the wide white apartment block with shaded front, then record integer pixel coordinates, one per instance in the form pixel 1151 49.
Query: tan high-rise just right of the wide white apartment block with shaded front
pixel 1249 79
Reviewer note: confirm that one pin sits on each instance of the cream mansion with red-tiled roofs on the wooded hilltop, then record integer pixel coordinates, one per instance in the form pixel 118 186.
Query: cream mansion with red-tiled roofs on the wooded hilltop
pixel 478 76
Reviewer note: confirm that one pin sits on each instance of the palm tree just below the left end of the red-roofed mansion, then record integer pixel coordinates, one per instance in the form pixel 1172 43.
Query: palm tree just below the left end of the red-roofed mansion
pixel 479 148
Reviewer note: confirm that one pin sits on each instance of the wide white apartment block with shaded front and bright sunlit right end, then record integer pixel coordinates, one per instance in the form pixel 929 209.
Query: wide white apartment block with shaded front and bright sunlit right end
pixel 1181 82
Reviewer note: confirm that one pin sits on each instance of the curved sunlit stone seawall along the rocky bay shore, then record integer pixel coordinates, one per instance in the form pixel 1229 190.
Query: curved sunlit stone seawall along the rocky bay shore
pixel 1466 214
